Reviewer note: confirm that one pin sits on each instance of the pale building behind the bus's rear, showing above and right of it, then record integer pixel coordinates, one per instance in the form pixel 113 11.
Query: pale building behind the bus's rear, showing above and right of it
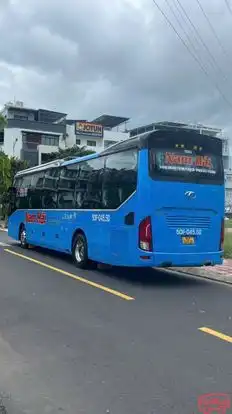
pixel 202 129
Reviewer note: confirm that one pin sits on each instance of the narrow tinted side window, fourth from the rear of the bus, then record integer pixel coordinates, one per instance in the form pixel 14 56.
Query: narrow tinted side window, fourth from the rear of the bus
pixel 49 197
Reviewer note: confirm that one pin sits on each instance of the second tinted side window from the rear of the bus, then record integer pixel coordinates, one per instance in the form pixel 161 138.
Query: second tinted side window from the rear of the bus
pixel 89 184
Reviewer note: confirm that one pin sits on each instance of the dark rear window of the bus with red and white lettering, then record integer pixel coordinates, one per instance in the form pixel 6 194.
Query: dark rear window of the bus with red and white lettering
pixel 191 165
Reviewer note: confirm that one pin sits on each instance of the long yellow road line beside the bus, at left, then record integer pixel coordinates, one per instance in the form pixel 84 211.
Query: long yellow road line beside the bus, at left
pixel 71 275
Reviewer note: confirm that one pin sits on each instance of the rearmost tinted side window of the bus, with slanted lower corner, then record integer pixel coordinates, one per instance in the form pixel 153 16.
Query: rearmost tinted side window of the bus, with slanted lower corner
pixel 120 178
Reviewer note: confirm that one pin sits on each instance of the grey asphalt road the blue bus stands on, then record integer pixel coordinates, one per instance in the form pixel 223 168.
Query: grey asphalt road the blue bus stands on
pixel 84 342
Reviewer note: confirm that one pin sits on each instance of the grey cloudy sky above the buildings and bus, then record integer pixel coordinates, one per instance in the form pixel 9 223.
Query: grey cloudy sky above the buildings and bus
pixel 88 57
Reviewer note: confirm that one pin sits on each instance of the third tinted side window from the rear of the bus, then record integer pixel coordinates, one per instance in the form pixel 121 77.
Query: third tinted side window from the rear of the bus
pixel 66 187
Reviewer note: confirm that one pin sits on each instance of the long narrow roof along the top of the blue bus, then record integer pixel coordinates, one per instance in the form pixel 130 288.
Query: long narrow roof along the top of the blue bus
pixel 135 142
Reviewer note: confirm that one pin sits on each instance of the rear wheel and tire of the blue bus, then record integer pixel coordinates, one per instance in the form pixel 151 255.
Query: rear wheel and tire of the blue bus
pixel 80 251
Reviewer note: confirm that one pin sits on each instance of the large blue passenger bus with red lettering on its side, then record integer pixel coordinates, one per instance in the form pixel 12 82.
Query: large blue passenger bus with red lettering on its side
pixel 153 201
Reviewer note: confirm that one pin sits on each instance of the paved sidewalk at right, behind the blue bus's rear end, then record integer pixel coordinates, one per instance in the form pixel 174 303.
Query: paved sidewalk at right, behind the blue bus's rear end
pixel 222 273
